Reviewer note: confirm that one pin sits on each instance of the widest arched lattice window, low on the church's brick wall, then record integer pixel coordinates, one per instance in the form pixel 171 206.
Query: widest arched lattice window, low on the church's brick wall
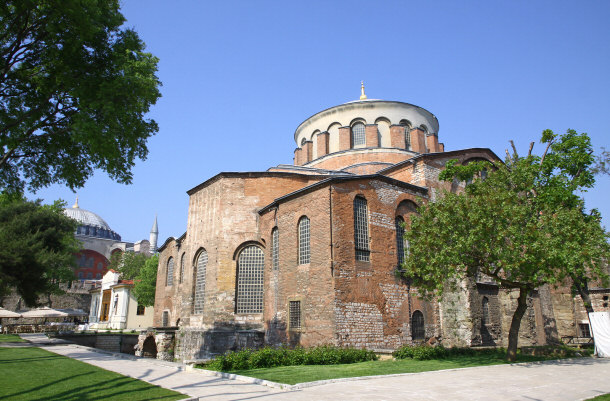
pixel 250 267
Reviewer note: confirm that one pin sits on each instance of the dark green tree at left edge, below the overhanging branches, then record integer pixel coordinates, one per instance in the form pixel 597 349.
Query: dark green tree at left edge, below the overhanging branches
pixel 37 248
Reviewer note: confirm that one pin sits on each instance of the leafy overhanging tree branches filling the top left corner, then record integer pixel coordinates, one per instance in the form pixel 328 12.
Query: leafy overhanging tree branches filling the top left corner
pixel 74 89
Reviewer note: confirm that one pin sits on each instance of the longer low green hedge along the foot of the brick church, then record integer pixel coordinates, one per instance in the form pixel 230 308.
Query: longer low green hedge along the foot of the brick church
pixel 270 357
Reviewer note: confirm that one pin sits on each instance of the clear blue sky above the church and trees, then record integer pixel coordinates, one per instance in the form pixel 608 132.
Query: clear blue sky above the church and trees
pixel 240 76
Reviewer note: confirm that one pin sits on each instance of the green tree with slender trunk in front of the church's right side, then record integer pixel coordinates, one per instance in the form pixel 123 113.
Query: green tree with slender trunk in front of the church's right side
pixel 523 226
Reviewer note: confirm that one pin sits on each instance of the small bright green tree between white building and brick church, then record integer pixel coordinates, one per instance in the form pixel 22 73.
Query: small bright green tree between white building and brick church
pixel 142 269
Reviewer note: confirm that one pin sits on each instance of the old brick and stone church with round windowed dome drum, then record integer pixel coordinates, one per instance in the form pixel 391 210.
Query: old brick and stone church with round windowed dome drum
pixel 307 254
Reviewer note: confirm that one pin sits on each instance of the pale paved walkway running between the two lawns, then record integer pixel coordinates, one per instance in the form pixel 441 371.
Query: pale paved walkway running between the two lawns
pixel 570 379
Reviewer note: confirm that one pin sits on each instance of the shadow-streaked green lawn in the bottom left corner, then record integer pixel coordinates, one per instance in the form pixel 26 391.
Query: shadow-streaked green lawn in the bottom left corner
pixel 35 374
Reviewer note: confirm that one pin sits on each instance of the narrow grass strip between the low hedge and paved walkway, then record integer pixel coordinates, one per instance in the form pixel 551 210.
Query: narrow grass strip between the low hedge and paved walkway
pixel 307 373
